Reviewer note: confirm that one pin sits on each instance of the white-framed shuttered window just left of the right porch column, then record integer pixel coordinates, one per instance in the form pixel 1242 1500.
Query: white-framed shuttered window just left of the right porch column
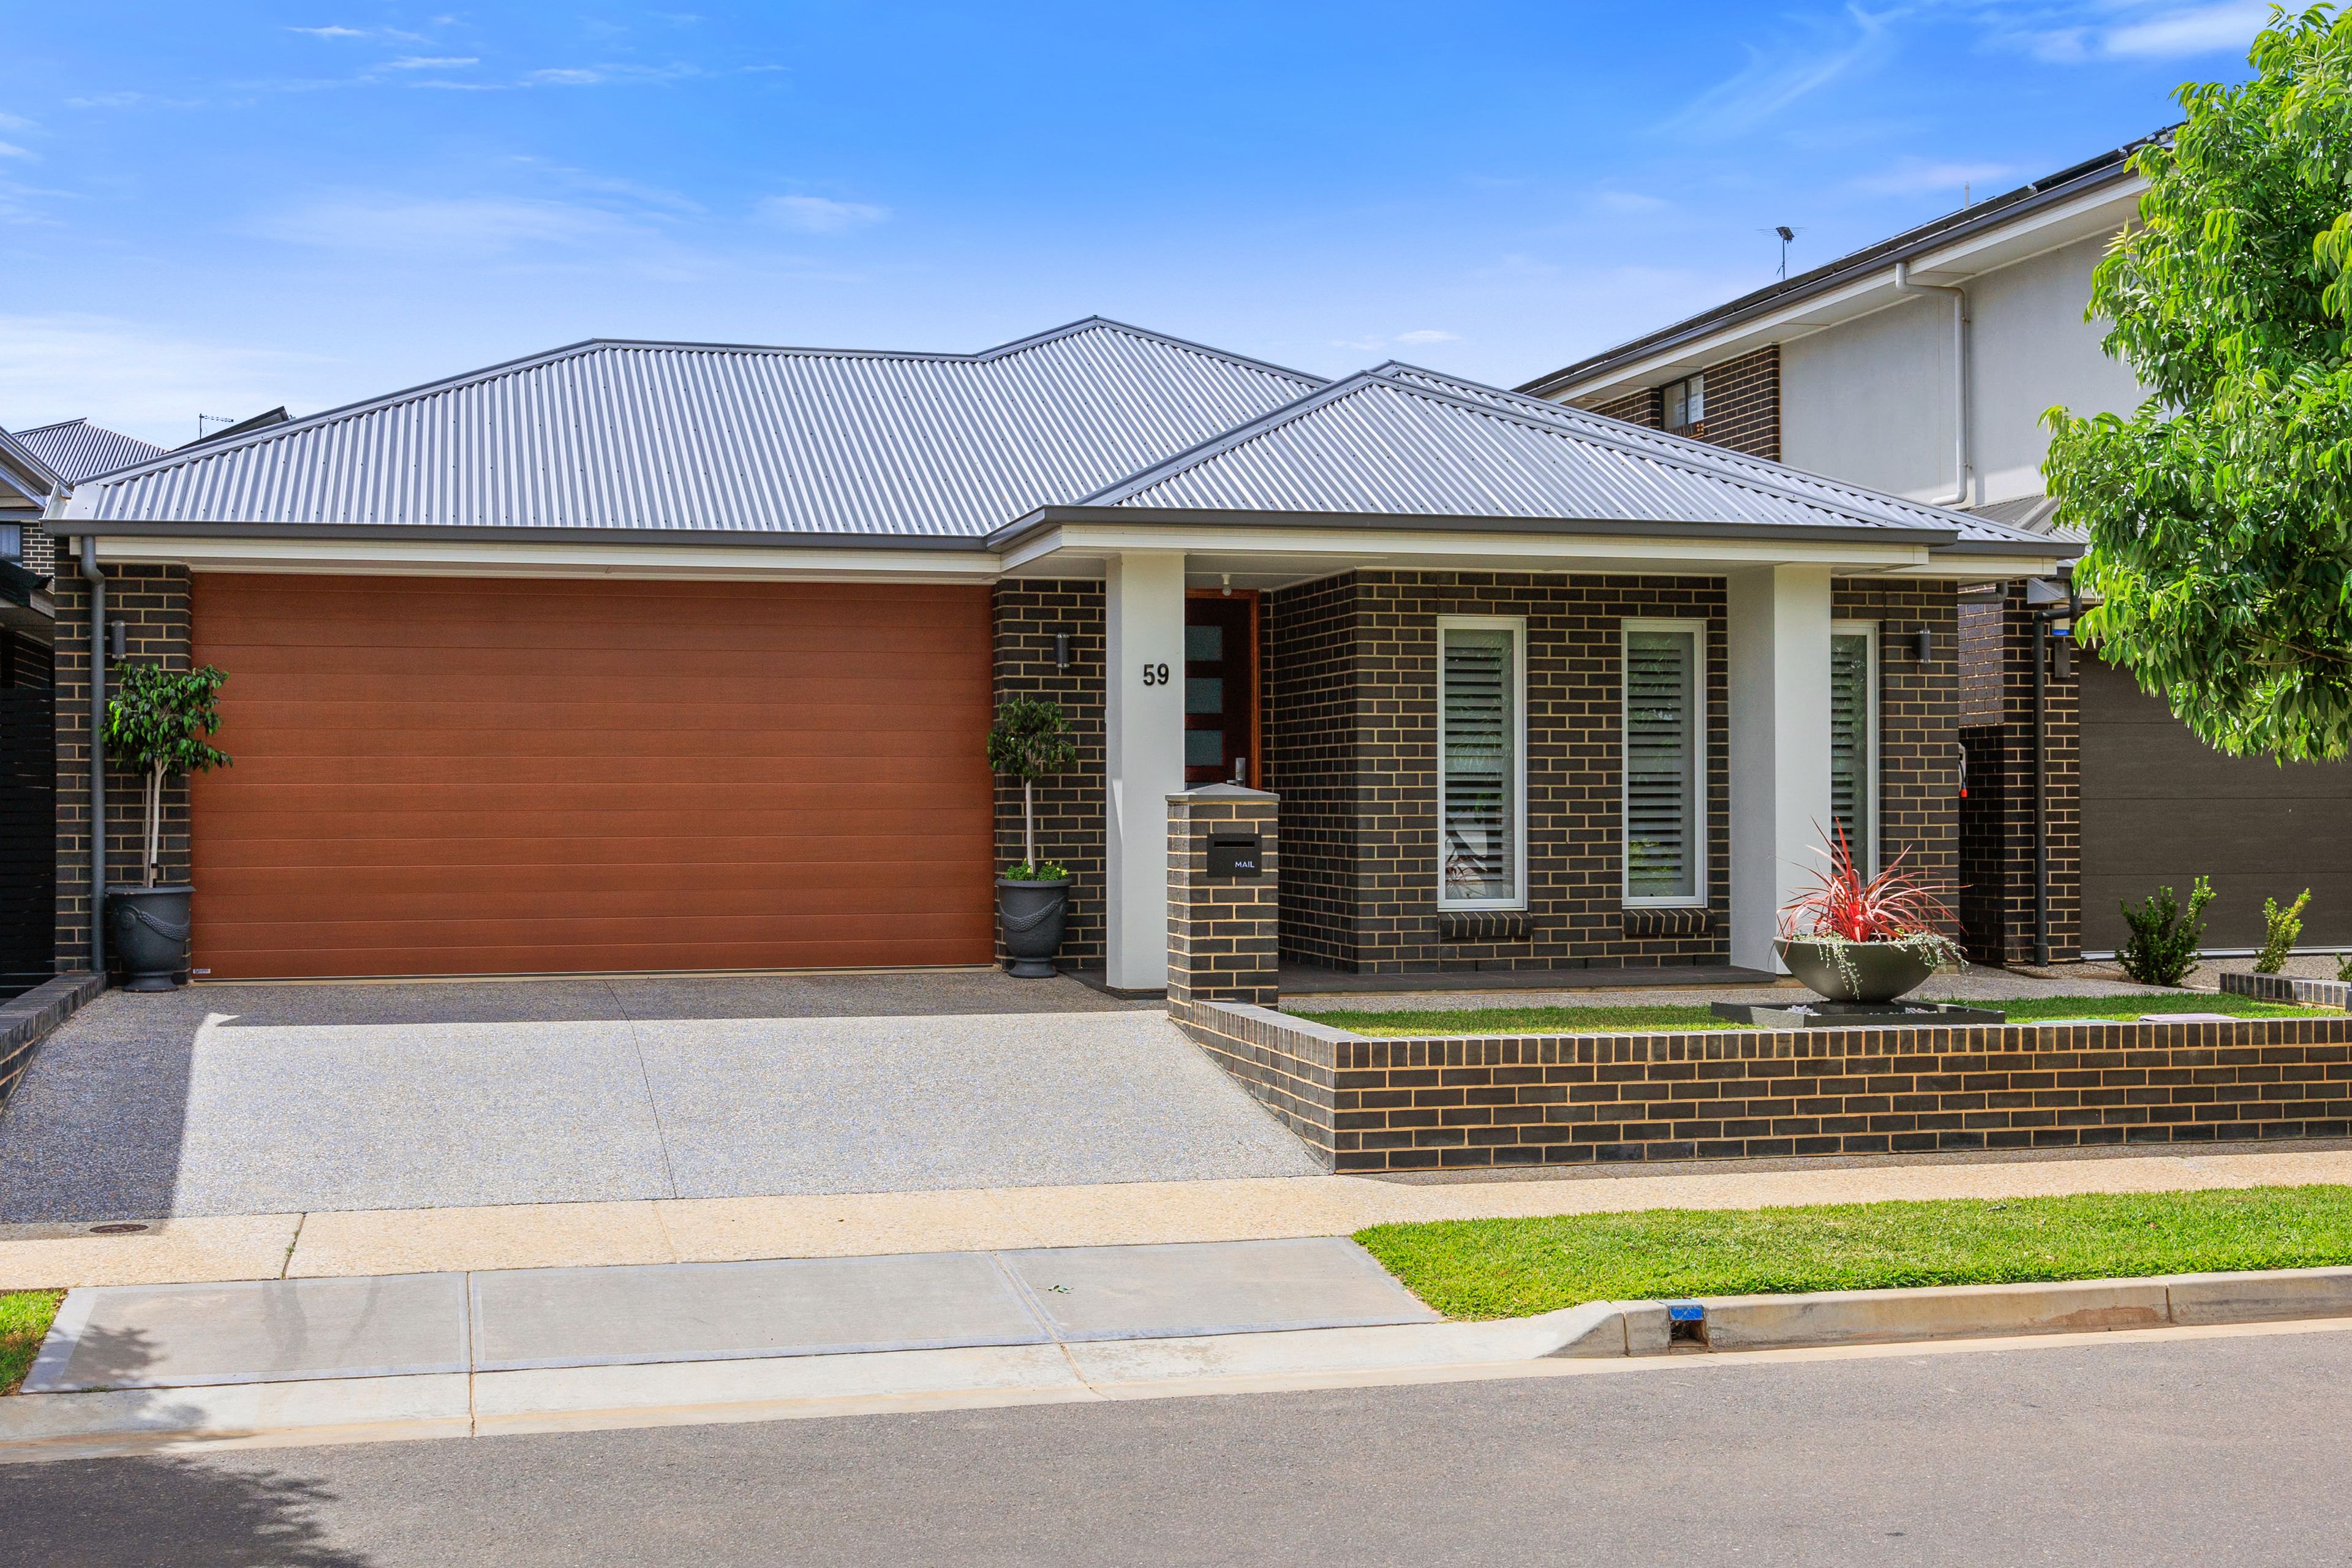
pixel 1666 840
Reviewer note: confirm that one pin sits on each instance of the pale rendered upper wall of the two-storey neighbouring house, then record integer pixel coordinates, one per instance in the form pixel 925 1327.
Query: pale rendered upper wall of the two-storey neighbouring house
pixel 1871 401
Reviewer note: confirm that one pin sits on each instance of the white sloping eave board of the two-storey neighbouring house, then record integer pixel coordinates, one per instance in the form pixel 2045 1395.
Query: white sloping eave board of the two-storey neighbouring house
pixel 1972 257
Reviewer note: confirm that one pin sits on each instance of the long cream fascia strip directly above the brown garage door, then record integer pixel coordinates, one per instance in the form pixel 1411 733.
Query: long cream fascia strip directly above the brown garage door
pixel 599 561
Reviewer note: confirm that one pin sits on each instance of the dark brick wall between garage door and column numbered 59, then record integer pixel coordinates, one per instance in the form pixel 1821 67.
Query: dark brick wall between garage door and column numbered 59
pixel 1029 612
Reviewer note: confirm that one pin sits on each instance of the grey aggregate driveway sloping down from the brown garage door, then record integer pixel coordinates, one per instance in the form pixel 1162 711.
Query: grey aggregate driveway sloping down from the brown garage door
pixel 281 1099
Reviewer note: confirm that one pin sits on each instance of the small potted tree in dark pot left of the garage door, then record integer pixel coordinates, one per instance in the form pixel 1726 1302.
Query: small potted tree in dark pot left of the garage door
pixel 159 723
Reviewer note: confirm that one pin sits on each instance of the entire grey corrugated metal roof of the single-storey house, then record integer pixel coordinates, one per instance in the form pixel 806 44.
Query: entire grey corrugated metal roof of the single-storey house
pixel 735 441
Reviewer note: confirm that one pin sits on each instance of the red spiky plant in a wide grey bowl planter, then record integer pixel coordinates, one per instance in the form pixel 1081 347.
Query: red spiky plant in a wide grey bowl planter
pixel 1864 939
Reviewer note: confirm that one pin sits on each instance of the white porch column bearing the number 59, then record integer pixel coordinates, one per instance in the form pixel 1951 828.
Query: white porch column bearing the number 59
pixel 1144 758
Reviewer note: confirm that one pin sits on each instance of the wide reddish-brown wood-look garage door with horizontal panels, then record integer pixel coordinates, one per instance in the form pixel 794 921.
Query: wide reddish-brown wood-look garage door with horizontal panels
pixel 521 777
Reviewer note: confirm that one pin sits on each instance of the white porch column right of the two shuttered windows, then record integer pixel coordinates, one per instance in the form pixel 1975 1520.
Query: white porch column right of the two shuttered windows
pixel 1779 655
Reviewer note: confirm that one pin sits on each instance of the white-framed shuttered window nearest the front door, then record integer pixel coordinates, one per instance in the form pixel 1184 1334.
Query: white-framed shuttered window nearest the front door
pixel 1478 765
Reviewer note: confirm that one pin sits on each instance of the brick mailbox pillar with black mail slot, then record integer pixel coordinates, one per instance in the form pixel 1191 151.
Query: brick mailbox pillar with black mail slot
pixel 1224 897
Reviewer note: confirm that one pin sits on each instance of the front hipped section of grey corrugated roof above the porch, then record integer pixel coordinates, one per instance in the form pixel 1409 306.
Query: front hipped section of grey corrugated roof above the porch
pixel 1405 441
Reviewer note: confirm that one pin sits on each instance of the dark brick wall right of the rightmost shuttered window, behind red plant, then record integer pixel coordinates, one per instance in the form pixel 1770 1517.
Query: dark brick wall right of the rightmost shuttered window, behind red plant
pixel 1918 723
